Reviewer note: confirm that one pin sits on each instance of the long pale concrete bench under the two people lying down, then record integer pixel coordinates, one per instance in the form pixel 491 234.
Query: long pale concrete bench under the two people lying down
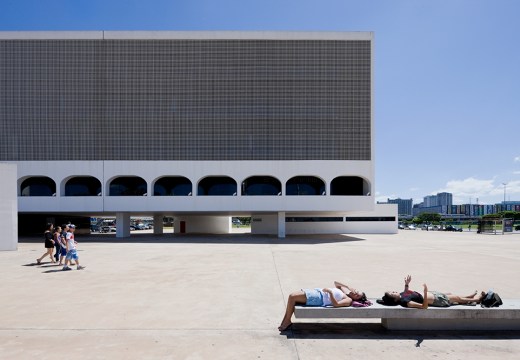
pixel 458 317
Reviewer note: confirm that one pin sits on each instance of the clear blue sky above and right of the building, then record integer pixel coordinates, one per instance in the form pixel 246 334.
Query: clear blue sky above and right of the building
pixel 447 75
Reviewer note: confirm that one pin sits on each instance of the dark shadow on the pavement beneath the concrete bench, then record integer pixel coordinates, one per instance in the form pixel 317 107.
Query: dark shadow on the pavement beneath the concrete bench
pixel 378 332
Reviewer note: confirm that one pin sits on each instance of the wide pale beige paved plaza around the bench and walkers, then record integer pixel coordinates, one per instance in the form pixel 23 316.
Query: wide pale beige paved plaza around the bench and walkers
pixel 222 297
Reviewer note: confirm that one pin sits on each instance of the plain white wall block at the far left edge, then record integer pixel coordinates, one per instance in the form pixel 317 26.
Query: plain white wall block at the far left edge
pixel 8 207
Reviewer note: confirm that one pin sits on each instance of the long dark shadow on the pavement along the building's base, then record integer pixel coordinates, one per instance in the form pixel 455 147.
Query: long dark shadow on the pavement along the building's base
pixel 209 239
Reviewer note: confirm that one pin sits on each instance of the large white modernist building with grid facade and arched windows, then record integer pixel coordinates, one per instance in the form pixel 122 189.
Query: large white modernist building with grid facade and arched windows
pixel 200 126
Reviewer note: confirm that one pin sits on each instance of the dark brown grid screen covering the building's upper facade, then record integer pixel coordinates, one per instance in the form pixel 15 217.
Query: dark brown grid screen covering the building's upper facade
pixel 185 100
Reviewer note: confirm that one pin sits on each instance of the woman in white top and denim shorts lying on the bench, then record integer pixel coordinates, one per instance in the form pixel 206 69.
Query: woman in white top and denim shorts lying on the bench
pixel 340 296
